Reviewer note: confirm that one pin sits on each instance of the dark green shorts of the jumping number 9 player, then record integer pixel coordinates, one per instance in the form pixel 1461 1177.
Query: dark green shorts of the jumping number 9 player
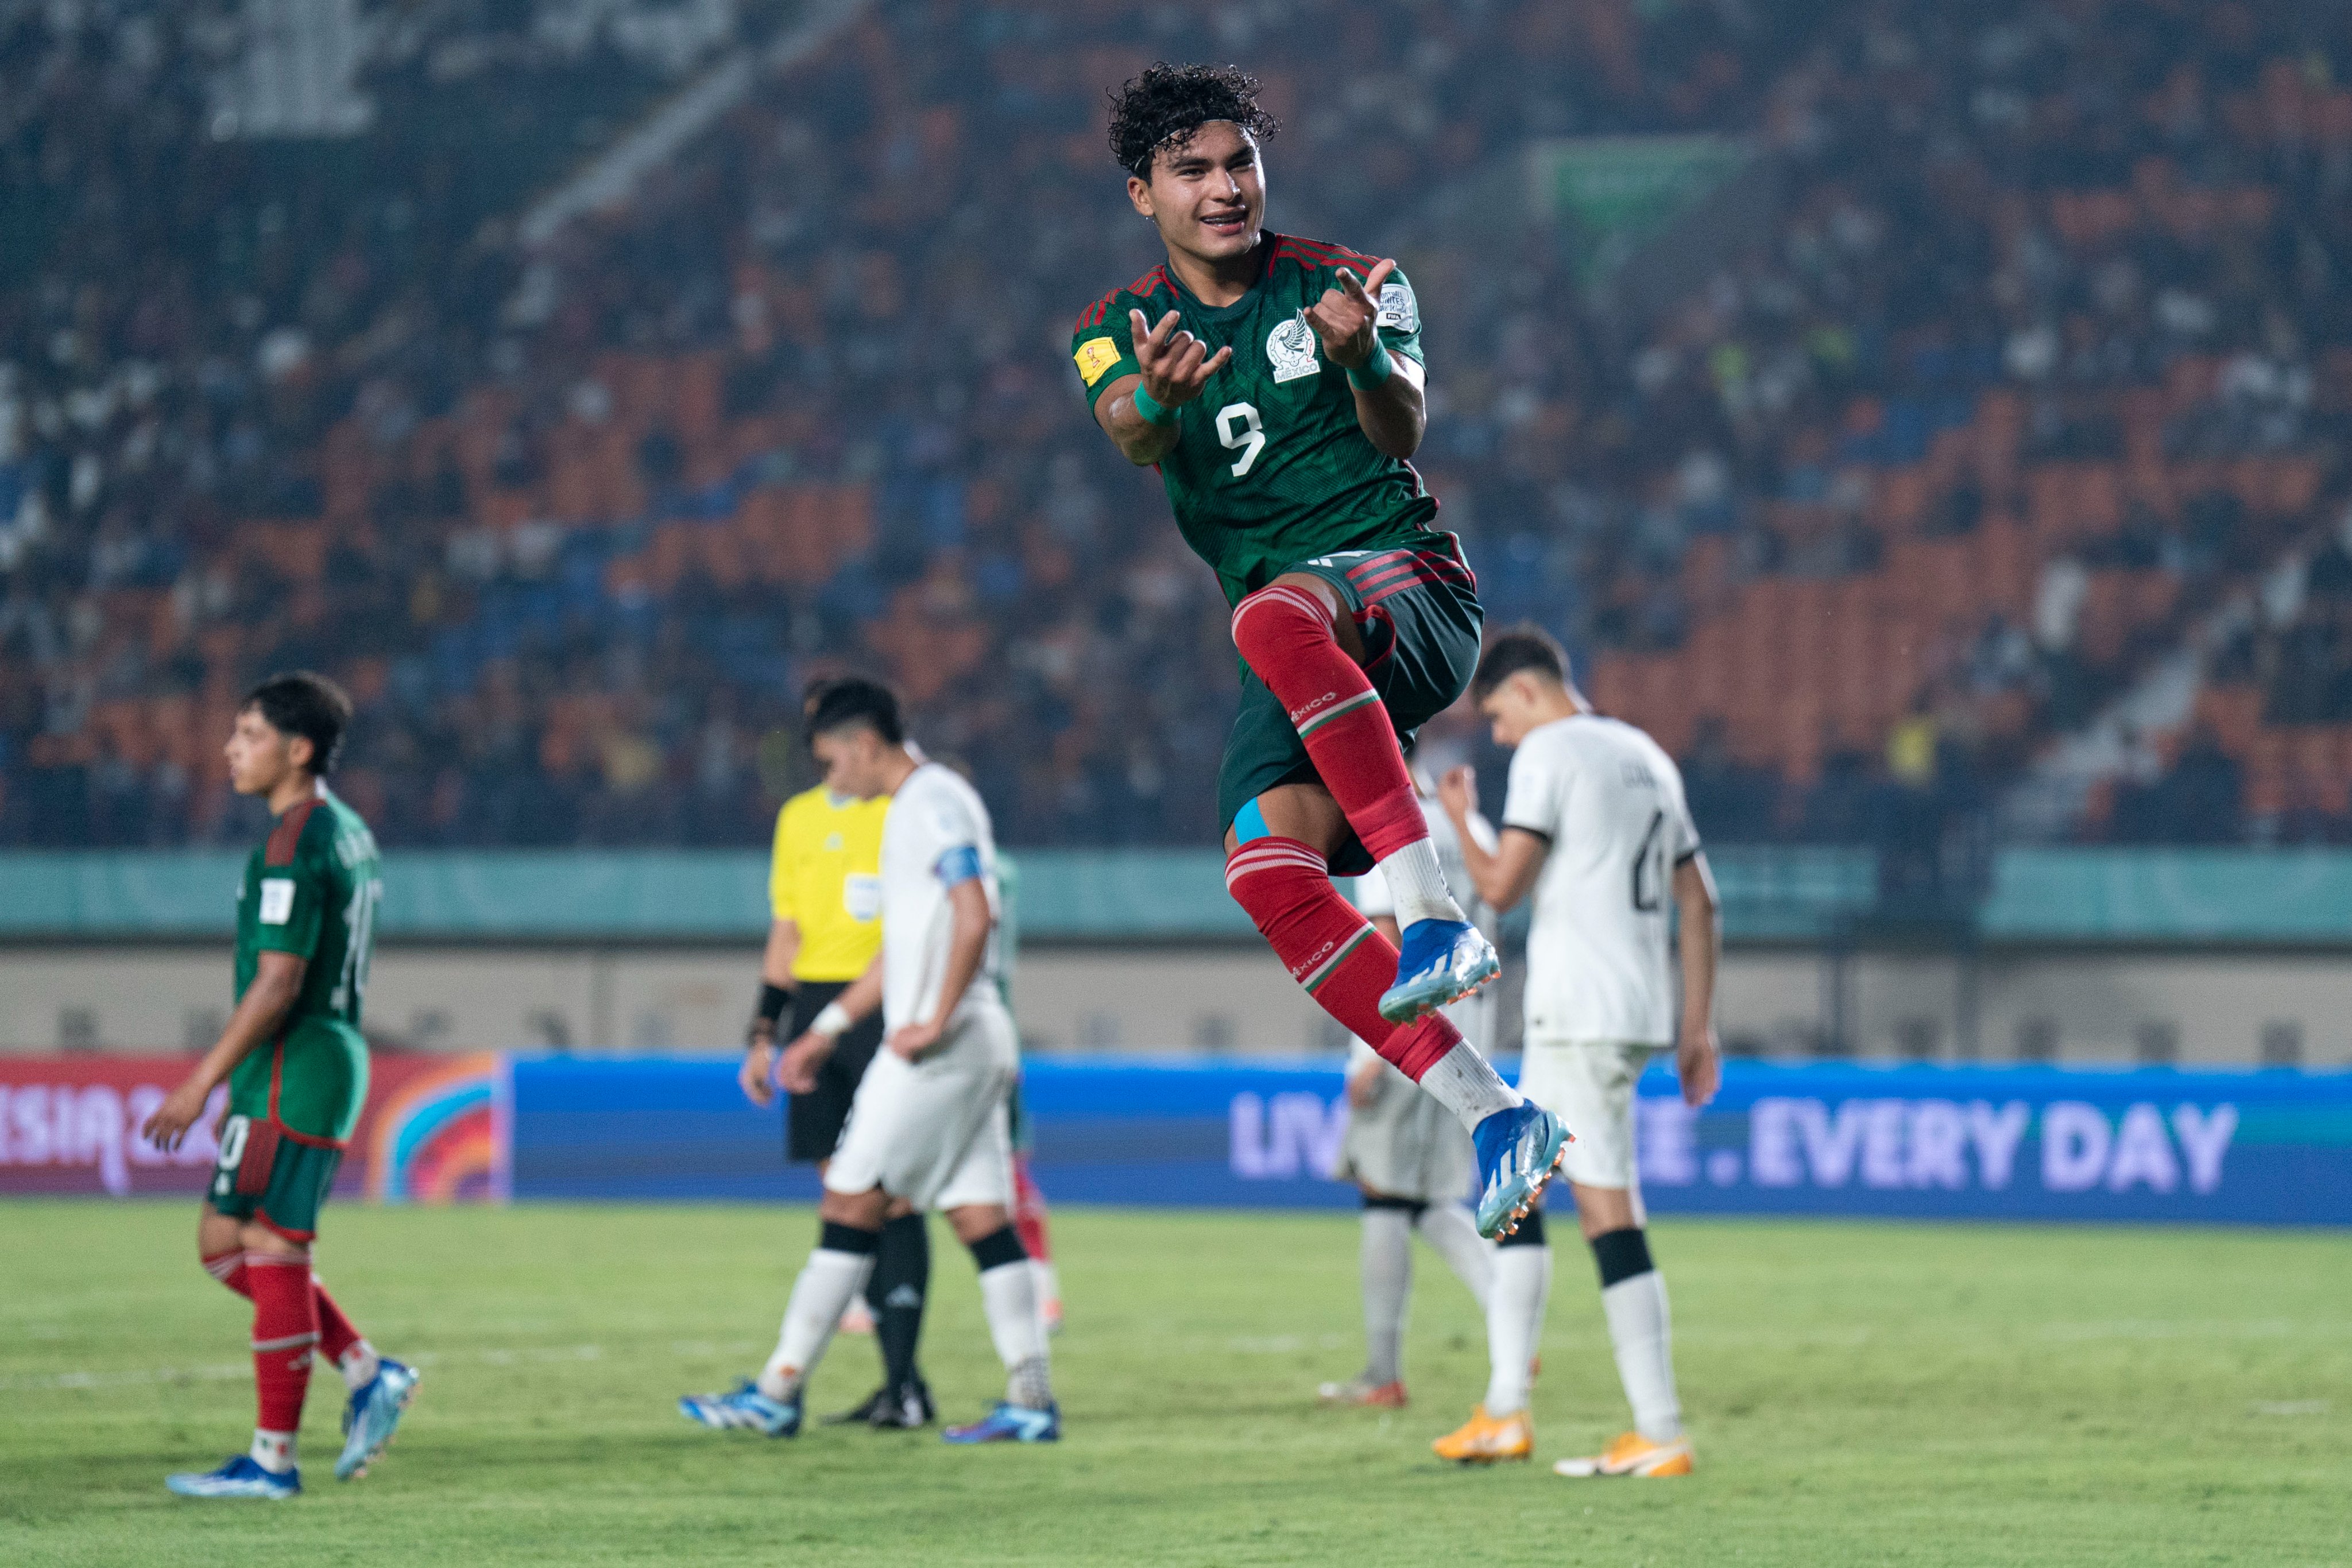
pixel 1422 629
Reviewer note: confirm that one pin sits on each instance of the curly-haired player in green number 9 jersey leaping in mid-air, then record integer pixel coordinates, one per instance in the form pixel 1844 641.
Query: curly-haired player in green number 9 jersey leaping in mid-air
pixel 1276 384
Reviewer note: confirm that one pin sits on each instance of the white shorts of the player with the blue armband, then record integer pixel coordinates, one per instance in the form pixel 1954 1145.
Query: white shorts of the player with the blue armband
pixel 937 1132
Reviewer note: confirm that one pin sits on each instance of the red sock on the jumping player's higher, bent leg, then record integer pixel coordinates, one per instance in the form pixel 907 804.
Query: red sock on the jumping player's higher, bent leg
pixel 1285 634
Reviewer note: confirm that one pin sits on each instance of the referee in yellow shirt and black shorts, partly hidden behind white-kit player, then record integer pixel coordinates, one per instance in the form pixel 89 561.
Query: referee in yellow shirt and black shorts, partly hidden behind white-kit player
pixel 827 899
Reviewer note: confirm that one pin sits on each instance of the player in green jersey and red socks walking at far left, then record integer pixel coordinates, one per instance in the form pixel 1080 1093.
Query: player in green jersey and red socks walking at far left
pixel 298 1078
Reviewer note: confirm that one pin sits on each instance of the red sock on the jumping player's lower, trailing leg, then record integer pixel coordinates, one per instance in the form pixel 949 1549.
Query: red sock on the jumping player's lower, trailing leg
pixel 1330 949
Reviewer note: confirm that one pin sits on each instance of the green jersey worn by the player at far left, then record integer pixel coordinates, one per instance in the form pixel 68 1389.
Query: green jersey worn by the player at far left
pixel 312 890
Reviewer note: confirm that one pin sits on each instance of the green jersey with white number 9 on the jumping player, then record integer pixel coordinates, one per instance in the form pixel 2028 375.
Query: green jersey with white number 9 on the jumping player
pixel 1271 464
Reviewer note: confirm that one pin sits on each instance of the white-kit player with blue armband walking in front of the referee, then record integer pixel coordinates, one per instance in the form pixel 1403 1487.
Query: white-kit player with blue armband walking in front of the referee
pixel 928 1127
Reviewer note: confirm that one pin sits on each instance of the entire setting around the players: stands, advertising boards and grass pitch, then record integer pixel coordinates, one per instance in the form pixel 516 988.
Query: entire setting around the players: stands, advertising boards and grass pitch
pixel 1927 420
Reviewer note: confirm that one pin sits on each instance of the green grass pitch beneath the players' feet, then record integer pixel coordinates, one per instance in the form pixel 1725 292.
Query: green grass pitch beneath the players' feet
pixel 1859 1395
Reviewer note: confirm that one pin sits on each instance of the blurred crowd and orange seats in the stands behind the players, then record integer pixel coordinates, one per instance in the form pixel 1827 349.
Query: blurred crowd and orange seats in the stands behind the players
pixel 2038 366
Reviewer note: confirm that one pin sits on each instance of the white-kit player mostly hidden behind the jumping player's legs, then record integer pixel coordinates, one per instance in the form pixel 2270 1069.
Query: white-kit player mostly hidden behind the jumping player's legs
pixel 1410 1155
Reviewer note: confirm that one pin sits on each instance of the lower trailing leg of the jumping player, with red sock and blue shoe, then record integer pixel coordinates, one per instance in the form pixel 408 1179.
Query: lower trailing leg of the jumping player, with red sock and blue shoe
pixel 1281 871
